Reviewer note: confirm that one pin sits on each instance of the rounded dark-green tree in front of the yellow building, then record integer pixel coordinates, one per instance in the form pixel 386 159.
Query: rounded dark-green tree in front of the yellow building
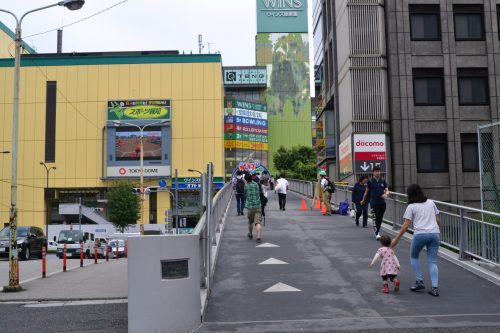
pixel 123 205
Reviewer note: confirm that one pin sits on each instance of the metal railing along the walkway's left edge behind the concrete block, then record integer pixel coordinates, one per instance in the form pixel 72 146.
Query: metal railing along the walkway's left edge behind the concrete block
pixel 209 229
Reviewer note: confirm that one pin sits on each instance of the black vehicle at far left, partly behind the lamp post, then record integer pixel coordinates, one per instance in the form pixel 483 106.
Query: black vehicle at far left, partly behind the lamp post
pixel 29 242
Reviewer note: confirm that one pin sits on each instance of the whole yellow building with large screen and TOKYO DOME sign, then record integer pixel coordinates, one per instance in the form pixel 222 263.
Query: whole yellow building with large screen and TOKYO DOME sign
pixel 67 106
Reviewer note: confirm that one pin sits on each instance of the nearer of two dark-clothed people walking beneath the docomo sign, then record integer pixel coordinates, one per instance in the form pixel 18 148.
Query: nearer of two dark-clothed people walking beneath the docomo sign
pixel 378 192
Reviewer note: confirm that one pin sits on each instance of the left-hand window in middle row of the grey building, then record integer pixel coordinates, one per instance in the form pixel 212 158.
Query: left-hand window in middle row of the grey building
pixel 428 86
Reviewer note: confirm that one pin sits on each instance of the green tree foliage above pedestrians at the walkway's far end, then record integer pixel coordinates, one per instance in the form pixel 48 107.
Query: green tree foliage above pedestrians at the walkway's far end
pixel 298 162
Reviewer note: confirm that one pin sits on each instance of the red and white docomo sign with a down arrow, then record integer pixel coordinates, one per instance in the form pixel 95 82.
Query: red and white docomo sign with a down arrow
pixel 369 150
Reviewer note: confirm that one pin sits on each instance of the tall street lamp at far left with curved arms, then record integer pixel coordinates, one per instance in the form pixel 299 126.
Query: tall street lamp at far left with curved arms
pixel 13 258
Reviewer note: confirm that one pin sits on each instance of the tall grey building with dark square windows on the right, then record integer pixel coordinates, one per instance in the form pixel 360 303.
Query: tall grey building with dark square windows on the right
pixel 421 72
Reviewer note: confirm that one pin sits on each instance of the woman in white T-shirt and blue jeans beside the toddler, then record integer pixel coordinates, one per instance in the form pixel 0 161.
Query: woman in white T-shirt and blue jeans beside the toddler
pixel 425 217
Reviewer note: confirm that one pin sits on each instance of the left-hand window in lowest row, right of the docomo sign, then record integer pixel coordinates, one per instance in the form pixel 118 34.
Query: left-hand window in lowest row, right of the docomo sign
pixel 432 154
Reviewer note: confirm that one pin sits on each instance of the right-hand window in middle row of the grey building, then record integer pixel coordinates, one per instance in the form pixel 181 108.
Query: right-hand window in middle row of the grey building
pixel 473 86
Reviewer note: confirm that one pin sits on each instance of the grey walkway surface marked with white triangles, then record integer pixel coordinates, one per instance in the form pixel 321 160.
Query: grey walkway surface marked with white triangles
pixel 311 273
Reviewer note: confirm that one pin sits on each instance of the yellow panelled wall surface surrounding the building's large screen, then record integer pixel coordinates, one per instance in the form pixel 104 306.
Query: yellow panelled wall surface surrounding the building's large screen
pixel 83 92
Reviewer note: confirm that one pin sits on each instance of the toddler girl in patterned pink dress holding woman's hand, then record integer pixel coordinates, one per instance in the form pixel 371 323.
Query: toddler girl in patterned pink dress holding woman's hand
pixel 389 266
